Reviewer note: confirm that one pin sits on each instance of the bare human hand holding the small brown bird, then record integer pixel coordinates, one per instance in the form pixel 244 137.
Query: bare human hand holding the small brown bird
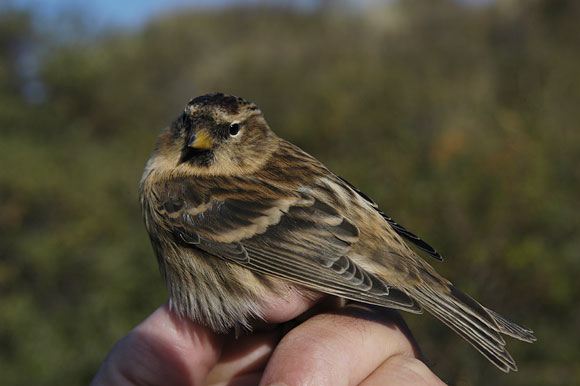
pixel 365 346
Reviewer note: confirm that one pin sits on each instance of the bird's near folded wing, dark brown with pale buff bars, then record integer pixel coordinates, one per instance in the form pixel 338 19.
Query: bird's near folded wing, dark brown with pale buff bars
pixel 288 234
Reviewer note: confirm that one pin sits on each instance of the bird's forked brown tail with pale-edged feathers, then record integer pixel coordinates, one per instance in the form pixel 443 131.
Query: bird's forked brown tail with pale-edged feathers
pixel 478 325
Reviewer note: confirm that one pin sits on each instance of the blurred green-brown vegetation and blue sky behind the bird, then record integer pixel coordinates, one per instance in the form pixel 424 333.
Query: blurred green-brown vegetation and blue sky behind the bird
pixel 460 118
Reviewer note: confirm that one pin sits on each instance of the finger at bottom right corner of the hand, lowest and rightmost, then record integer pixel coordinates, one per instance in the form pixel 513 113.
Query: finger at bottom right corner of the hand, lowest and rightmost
pixel 401 370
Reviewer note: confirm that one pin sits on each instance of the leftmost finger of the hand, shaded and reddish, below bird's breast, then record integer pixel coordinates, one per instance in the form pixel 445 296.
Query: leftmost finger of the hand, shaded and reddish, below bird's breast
pixel 163 350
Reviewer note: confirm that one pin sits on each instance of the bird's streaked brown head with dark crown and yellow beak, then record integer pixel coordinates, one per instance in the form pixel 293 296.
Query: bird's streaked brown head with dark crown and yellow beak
pixel 218 134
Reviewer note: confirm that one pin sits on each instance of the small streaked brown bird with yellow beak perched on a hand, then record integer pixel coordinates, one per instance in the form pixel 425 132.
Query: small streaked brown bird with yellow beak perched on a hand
pixel 235 212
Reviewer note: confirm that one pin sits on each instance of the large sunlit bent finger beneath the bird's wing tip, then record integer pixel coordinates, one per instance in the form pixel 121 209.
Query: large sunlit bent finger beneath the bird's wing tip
pixel 340 348
